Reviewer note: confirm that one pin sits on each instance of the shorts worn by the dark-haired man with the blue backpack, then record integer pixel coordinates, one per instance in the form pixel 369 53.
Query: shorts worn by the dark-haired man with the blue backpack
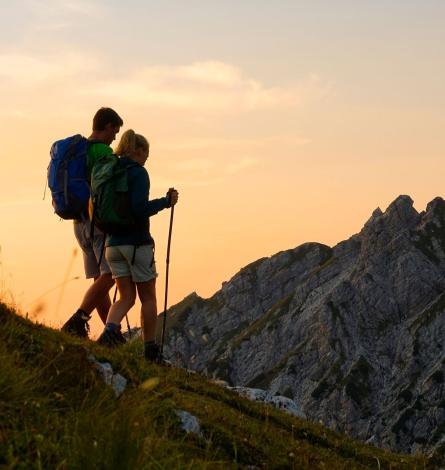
pixel 91 249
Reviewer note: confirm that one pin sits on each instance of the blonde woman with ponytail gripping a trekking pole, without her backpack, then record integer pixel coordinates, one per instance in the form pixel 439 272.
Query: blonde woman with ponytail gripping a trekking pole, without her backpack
pixel 131 255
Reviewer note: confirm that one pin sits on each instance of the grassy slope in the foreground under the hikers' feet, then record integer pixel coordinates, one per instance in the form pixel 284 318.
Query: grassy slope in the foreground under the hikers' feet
pixel 55 412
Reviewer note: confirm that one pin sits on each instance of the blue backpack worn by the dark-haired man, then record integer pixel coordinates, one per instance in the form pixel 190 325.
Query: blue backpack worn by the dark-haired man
pixel 67 177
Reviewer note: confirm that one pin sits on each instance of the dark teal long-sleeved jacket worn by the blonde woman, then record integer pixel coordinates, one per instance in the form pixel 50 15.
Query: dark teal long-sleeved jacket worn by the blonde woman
pixel 142 208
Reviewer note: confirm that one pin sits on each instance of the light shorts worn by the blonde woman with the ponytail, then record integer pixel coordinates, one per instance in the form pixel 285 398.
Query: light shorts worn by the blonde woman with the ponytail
pixel 120 260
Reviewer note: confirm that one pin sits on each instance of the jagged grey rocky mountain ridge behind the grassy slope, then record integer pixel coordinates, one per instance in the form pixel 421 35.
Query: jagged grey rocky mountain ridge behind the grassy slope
pixel 353 333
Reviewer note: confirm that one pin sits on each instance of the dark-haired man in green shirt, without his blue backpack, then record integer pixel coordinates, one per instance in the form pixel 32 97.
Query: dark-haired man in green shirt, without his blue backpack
pixel 106 124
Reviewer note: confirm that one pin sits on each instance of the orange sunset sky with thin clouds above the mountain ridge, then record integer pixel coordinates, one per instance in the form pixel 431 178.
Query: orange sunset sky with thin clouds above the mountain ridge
pixel 278 122
